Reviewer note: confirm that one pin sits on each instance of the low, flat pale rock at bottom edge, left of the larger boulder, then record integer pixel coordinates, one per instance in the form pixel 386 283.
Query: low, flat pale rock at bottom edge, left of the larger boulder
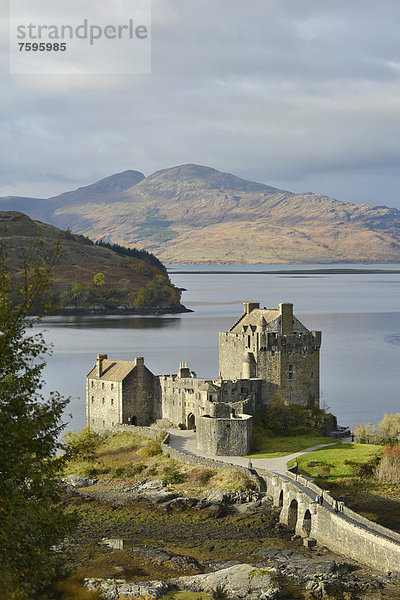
pixel 112 589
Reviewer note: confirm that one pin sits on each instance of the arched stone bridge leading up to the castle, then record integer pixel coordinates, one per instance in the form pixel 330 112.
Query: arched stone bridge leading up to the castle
pixel 344 532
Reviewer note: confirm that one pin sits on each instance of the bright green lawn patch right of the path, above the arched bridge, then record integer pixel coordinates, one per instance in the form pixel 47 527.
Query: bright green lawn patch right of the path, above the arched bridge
pixel 336 462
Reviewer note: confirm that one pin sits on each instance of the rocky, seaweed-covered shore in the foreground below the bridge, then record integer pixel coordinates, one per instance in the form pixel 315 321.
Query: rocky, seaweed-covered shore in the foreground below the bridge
pixel 151 541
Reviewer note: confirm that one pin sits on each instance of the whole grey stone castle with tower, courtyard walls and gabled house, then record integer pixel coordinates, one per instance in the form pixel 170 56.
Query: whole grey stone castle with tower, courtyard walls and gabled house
pixel 267 354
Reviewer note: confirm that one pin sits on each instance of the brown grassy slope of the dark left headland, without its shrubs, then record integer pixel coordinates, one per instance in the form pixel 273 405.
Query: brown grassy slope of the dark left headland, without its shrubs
pixel 81 260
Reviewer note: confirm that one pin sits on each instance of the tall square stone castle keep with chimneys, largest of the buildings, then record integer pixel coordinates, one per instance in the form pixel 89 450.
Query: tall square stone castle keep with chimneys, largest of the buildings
pixel 272 345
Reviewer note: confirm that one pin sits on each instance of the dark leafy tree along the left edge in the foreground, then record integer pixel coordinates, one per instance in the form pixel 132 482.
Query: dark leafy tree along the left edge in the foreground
pixel 31 517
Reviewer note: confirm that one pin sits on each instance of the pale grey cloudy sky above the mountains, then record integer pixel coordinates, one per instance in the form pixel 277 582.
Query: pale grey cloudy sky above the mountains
pixel 303 95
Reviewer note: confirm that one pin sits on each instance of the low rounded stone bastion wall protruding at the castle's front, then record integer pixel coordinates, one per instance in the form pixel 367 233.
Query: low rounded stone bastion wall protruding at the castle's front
pixel 224 436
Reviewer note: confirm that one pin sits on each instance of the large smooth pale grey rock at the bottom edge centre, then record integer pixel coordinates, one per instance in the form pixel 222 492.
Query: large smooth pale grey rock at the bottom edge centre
pixel 240 581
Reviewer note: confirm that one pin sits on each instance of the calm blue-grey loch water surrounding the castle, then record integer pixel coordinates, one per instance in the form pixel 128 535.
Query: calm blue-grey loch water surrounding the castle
pixel 359 316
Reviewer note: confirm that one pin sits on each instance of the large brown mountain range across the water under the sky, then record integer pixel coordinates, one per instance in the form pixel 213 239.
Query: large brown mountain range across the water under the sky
pixel 196 214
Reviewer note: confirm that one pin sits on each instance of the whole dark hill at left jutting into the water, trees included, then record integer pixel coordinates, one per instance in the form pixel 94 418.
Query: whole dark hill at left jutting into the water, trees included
pixel 127 281
